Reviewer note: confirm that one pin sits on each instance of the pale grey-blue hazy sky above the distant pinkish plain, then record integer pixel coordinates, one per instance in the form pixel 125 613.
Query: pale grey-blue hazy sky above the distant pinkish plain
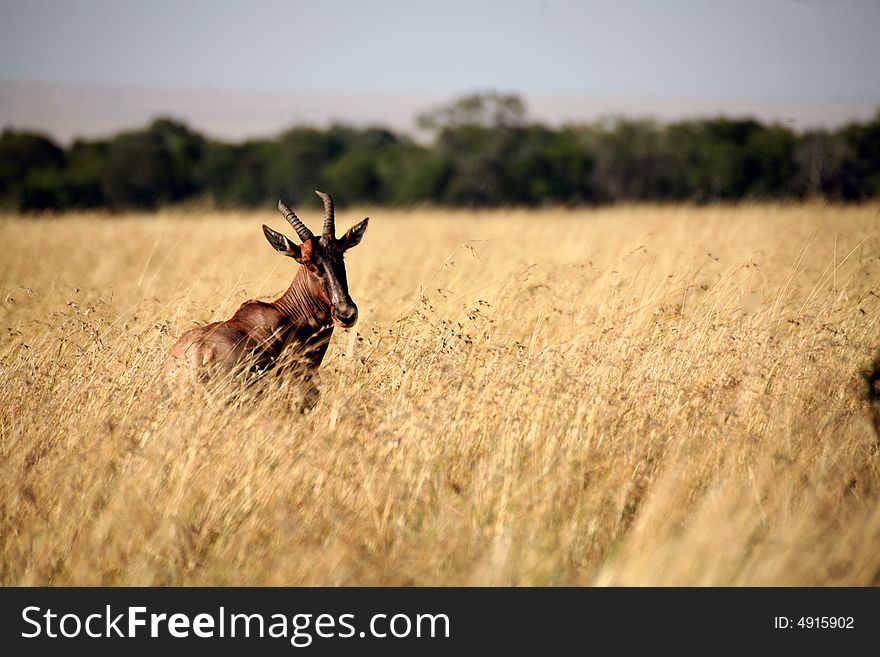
pixel 736 51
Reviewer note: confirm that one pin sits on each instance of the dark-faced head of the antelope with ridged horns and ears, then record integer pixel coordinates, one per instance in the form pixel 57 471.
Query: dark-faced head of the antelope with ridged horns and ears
pixel 322 257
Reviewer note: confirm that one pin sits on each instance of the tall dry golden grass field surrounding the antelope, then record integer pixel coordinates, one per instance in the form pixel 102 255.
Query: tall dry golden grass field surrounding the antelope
pixel 626 396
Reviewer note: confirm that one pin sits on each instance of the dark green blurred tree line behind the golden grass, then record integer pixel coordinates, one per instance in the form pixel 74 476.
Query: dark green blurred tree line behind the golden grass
pixel 483 151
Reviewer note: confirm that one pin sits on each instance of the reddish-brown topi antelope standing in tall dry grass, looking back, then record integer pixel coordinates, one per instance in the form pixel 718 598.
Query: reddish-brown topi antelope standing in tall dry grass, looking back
pixel 303 317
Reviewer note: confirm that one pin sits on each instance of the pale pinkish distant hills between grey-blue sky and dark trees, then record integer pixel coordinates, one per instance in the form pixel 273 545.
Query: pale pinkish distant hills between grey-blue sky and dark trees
pixel 68 112
